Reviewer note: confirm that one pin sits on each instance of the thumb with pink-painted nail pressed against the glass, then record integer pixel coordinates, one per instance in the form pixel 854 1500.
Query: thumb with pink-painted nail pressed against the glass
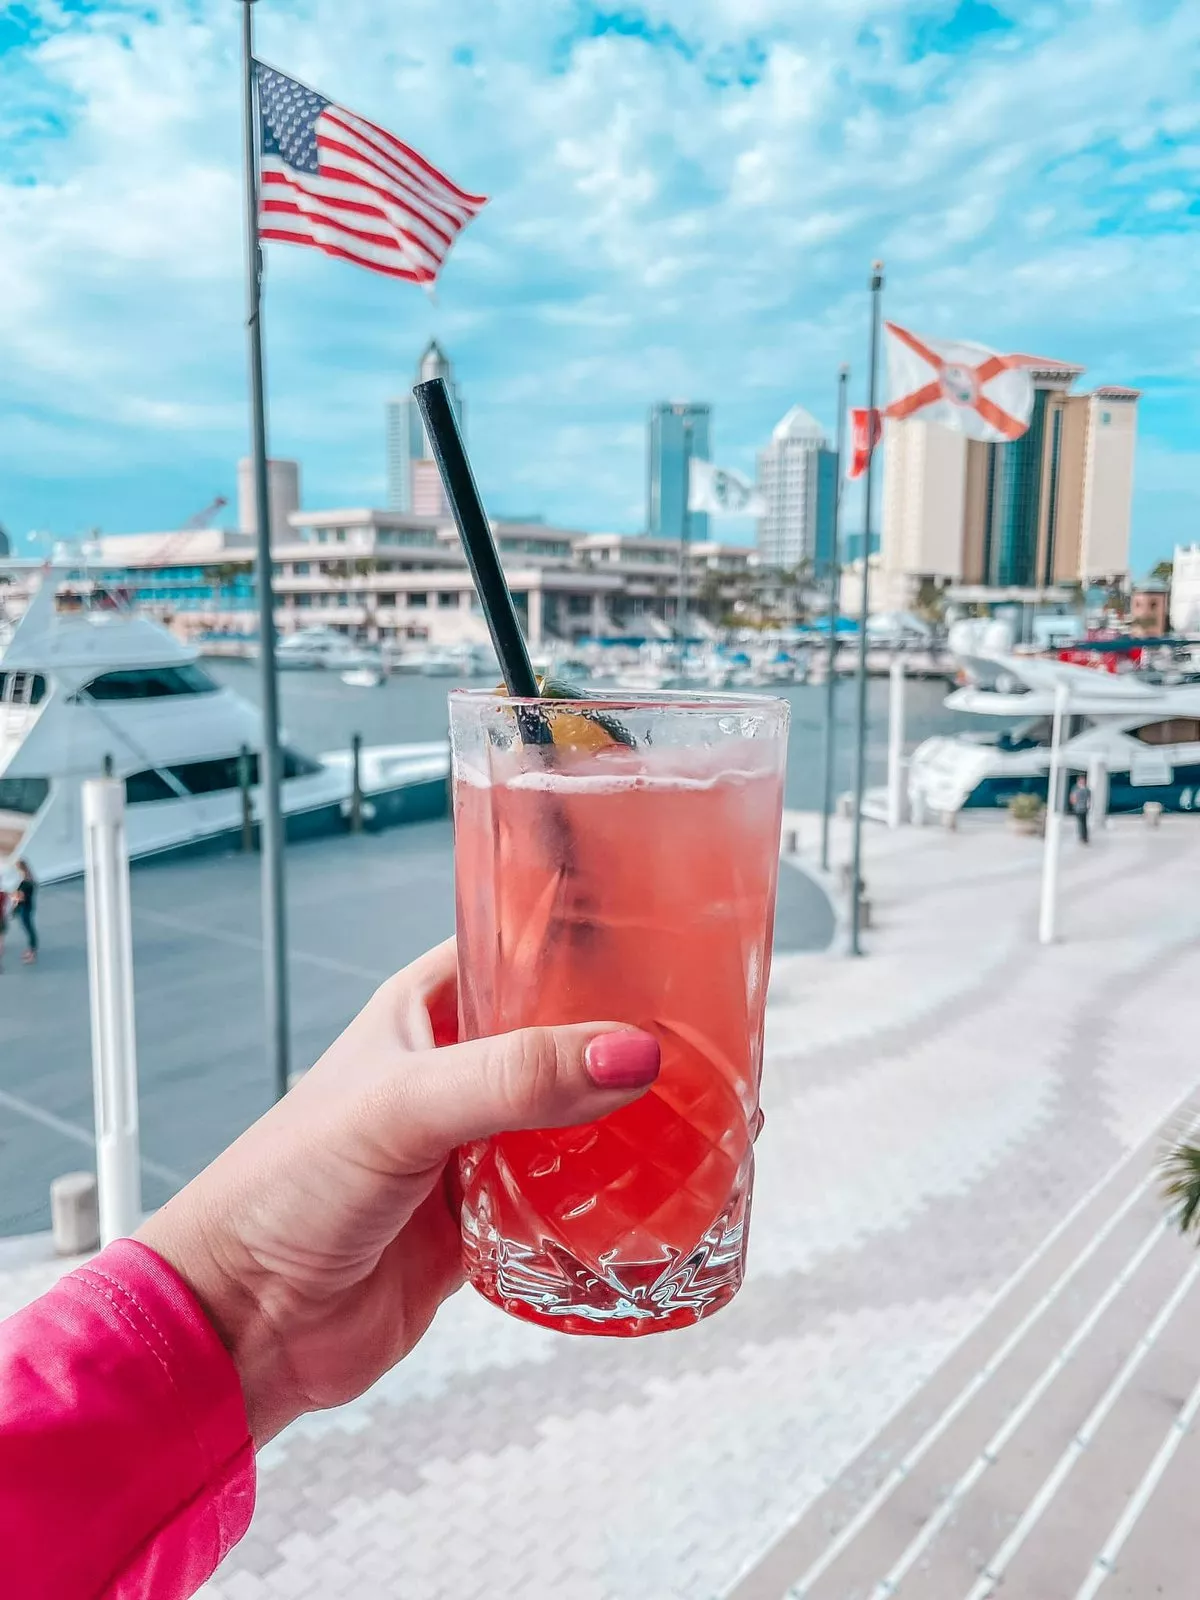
pixel 538 1078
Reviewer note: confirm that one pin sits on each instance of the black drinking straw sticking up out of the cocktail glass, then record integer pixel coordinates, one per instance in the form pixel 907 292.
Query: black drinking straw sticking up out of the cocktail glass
pixel 478 542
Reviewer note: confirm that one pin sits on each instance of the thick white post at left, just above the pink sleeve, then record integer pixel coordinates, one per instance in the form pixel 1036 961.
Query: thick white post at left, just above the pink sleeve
pixel 114 1049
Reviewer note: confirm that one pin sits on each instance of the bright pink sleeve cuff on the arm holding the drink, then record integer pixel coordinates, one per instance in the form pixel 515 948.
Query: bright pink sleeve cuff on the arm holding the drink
pixel 126 1460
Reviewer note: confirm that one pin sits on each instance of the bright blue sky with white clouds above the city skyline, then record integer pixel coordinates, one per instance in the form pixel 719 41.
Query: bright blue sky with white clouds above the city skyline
pixel 686 204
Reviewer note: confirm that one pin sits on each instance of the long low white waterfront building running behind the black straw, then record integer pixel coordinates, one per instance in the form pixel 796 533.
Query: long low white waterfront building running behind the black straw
pixel 393 577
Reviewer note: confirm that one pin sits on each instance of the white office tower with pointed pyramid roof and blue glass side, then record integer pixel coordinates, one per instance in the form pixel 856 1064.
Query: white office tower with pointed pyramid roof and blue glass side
pixel 798 478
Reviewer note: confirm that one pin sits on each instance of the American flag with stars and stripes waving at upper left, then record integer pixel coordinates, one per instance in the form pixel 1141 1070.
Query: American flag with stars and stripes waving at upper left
pixel 346 186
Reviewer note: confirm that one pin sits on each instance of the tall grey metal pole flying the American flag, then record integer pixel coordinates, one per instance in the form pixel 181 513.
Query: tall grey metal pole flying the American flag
pixel 271 812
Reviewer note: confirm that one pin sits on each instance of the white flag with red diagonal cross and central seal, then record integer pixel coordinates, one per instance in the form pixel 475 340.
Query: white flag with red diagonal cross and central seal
pixel 964 386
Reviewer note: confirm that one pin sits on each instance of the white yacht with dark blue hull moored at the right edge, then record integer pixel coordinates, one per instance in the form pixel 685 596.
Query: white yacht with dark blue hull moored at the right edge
pixel 1142 738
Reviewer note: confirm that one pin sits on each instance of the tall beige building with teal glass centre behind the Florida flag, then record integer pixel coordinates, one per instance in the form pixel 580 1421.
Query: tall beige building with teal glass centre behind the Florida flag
pixel 1047 511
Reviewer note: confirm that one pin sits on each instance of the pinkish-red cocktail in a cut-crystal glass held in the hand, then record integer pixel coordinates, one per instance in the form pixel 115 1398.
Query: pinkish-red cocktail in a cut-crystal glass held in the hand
pixel 618 860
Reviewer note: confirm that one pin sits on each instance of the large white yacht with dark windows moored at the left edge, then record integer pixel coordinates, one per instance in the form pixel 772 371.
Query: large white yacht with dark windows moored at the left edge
pixel 87 686
